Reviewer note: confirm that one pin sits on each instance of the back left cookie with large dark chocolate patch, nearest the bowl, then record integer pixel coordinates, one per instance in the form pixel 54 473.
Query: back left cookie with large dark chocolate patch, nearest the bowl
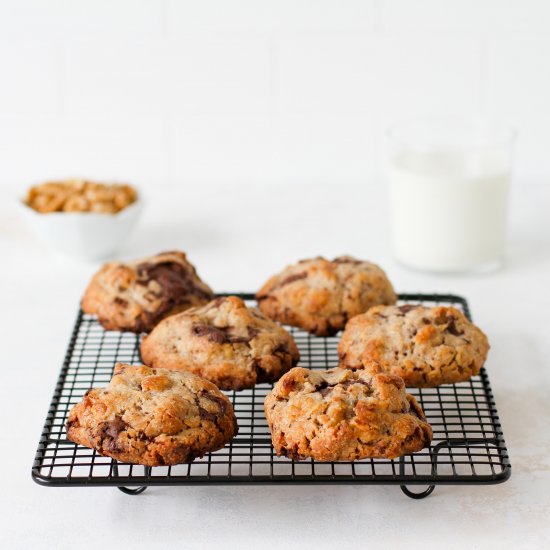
pixel 135 296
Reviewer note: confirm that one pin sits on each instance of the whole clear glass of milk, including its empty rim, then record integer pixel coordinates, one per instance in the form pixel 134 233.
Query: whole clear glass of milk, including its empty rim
pixel 449 182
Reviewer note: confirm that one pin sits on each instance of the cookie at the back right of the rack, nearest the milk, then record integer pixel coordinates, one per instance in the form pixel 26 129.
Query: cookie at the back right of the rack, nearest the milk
pixel 320 295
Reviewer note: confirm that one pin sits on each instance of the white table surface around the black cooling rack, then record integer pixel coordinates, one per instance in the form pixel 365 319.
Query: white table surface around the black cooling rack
pixel 238 237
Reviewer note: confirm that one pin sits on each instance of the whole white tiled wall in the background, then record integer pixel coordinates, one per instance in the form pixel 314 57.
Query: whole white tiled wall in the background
pixel 165 92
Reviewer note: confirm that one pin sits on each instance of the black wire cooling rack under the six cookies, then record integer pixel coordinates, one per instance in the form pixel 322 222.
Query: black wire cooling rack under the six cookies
pixel 467 448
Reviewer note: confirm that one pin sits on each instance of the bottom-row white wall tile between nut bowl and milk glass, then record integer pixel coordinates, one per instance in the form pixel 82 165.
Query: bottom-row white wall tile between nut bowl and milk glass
pixel 288 148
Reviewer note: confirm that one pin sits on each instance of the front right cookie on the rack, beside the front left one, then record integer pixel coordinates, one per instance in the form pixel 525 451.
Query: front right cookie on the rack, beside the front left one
pixel 340 414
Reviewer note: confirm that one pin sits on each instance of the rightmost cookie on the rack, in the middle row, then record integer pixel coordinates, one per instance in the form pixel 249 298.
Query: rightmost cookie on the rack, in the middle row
pixel 426 346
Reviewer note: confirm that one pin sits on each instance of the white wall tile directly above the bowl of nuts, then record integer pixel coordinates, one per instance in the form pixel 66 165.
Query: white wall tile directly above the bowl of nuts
pixel 38 147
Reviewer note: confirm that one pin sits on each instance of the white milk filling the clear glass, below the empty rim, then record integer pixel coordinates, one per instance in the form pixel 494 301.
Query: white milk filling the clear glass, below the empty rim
pixel 449 209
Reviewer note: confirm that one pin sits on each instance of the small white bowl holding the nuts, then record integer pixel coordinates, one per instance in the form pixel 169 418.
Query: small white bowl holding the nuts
pixel 84 235
